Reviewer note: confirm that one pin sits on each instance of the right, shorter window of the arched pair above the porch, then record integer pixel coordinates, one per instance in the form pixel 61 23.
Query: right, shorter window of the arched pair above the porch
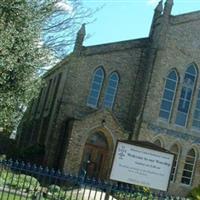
pixel 111 90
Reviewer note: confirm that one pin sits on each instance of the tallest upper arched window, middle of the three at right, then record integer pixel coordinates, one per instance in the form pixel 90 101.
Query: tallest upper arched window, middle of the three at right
pixel 186 95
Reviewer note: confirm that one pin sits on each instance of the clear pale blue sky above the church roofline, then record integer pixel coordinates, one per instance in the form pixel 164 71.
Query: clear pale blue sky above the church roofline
pixel 127 19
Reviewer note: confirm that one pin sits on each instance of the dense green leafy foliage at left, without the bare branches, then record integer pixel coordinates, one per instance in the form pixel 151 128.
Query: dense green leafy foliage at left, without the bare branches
pixel 20 56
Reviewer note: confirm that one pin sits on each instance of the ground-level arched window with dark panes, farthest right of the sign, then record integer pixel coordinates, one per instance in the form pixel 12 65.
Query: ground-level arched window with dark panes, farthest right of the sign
pixel 189 168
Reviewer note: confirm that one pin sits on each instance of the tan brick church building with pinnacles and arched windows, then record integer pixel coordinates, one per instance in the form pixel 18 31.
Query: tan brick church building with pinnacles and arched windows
pixel 145 89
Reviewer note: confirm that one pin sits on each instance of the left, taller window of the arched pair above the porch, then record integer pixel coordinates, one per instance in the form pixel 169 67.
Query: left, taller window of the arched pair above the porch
pixel 95 89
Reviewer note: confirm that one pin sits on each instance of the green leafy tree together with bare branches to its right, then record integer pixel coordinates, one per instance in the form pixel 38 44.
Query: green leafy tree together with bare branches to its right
pixel 32 34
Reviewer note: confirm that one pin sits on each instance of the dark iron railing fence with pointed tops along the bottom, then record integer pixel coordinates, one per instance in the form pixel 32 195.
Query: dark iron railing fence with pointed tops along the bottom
pixel 20 181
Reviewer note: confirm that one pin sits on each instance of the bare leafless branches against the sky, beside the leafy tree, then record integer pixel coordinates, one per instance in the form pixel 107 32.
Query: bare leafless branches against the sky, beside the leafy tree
pixel 68 16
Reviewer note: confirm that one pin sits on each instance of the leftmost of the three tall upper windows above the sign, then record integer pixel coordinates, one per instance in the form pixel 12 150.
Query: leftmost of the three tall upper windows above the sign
pixel 168 95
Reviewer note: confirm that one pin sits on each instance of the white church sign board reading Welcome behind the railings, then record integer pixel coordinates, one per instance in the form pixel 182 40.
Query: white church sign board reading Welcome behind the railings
pixel 142 166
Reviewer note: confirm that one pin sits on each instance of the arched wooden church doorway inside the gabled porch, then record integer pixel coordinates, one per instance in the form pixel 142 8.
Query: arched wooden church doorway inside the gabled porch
pixel 95 156
